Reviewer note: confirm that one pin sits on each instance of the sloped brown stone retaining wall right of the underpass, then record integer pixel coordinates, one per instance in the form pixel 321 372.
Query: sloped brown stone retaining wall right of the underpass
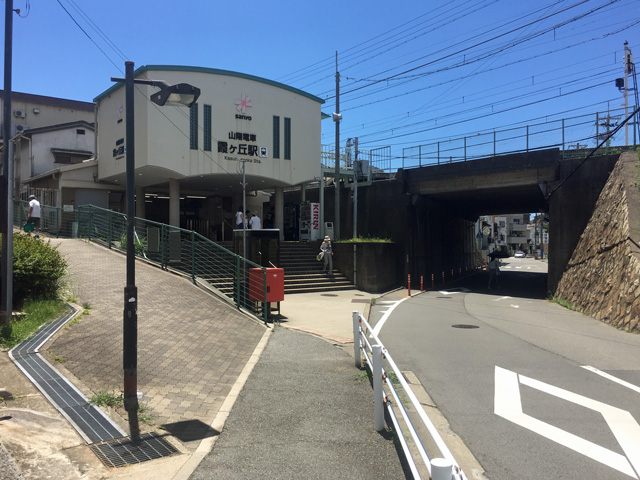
pixel 602 279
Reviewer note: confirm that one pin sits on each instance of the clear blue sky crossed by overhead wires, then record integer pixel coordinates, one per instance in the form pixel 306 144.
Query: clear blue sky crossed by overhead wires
pixel 412 73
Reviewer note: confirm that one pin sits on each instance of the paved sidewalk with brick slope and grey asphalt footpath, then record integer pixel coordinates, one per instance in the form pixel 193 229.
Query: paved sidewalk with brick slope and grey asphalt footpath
pixel 304 408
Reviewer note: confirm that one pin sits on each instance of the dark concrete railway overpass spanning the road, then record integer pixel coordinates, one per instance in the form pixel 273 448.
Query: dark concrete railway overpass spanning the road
pixel 430 211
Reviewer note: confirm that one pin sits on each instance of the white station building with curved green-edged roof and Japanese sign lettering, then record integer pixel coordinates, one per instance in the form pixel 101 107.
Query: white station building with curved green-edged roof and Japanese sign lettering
pixel 189 161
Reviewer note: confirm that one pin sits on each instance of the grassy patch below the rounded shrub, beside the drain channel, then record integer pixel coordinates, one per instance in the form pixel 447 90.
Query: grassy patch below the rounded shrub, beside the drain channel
pixel 37 313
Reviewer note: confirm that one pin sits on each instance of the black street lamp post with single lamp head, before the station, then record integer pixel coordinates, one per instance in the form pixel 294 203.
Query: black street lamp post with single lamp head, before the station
pixel 183 95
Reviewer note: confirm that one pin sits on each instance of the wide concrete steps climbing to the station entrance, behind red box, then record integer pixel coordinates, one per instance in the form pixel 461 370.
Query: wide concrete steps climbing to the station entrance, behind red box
pixel 303 273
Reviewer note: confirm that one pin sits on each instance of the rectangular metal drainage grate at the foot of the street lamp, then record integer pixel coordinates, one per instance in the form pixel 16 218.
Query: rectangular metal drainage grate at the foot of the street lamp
pixel 128 452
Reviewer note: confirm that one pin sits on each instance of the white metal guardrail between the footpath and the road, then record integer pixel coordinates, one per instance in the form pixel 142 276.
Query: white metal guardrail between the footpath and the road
pixel 366 344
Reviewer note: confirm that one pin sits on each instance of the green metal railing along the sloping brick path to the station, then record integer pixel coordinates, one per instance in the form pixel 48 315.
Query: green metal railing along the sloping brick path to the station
pixel 185 251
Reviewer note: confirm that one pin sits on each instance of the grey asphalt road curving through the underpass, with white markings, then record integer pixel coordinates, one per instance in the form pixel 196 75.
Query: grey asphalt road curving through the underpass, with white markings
pixel 506 367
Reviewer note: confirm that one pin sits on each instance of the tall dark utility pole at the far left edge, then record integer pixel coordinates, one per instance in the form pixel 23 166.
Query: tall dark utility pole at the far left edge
pixel 6 181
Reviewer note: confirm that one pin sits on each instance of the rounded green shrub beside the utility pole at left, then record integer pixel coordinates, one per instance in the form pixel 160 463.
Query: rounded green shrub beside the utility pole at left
pixel 38 269
